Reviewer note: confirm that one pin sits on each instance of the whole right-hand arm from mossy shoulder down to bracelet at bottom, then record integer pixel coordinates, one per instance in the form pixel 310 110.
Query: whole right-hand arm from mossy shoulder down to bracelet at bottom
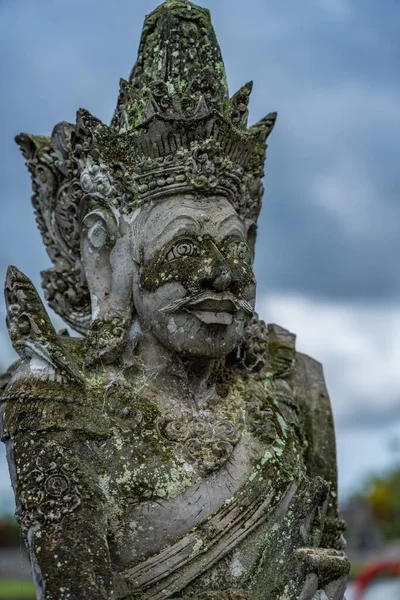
pixel 314 560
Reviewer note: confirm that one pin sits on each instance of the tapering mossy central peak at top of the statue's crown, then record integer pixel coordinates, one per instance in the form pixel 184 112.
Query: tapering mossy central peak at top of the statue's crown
pixel 179 62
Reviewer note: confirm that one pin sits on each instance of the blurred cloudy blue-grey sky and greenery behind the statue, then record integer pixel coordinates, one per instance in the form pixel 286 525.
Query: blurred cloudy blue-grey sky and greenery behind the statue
pixel 328 244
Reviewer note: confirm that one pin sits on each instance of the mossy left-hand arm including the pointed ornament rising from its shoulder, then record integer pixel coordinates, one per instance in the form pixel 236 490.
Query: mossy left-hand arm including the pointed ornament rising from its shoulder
pixel 50 432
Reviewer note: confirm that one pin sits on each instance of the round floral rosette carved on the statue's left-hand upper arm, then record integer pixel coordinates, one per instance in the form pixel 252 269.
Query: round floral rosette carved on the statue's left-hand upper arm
pixel 50 487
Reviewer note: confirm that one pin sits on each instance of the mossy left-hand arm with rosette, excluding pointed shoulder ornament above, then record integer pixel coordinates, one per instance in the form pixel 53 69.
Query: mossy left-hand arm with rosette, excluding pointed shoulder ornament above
pixel 53 467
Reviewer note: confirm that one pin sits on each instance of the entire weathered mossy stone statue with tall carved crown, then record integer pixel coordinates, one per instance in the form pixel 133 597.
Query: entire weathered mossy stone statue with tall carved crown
pixel 180 448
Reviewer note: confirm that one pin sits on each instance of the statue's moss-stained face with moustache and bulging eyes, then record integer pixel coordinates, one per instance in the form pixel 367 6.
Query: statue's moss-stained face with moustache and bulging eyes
pixel 194 285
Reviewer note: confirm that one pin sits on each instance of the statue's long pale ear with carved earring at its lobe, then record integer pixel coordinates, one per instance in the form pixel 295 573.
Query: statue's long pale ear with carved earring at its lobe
pixel 105 250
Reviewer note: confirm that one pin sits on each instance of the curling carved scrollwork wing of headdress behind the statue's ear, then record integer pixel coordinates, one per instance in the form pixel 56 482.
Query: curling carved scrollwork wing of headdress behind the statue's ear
pixel 57 198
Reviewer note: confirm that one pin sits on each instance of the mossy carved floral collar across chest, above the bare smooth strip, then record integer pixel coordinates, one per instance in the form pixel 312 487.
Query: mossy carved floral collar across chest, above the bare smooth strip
pixel 154 454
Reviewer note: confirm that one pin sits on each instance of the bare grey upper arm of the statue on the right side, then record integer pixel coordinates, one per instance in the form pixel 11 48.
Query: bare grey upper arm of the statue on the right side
pixel 312 397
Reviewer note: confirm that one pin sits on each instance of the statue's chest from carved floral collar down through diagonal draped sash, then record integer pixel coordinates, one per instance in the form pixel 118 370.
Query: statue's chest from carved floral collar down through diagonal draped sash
pixel 175 482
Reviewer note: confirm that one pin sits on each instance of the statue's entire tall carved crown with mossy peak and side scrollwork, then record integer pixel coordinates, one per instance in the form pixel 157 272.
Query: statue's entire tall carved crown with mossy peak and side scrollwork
pixel 175 129
